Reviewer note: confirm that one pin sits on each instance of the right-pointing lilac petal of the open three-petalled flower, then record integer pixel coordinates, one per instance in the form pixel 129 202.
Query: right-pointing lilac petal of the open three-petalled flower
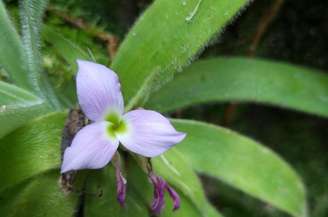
pixel 149 133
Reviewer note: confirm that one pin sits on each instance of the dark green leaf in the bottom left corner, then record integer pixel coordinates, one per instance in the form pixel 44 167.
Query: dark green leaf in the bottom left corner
pixel 38 197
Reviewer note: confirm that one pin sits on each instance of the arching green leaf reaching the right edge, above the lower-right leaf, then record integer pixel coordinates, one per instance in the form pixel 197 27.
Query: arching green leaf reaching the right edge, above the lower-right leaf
pixel 242 79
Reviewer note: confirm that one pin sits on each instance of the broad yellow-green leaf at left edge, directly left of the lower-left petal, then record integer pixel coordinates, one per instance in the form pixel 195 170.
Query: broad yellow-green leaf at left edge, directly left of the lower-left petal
pixel 31 149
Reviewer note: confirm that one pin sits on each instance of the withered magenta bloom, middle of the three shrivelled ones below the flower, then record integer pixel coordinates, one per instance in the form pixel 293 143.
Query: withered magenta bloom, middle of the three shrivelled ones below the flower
pixel 159 188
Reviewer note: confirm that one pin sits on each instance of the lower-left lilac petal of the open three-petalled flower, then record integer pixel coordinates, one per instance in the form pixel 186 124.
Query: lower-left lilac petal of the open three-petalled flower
pixel 90 149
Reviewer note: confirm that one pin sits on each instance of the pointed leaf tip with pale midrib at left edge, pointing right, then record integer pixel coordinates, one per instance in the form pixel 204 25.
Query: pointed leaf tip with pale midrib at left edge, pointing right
pixel 17 106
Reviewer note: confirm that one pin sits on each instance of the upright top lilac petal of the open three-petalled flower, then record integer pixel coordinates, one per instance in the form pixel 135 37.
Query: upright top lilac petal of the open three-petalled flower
pixel 98 90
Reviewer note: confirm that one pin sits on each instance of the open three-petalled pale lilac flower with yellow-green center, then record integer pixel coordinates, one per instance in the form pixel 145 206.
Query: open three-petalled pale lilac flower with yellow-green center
pixel 144 132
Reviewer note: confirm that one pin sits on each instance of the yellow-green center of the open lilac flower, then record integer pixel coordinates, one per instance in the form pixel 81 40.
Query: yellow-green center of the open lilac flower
pixel 117 124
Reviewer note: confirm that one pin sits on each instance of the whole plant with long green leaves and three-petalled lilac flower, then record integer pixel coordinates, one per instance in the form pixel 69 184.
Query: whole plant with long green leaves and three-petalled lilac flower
pixel 163 41
